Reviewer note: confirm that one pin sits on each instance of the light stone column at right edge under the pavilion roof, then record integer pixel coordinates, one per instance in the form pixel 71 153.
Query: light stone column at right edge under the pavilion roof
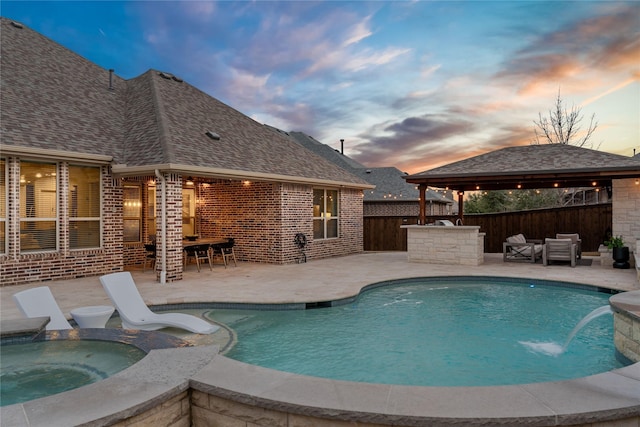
pixel 626 211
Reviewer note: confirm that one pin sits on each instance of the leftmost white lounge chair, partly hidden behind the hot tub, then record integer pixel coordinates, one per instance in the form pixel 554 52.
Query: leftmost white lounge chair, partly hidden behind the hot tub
pixel 39 302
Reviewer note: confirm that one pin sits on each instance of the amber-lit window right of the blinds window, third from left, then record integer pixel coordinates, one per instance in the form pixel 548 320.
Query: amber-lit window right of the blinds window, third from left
pixel 84 207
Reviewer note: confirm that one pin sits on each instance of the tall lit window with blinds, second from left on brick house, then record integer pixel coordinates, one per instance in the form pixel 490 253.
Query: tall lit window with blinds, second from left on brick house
pixel 38 206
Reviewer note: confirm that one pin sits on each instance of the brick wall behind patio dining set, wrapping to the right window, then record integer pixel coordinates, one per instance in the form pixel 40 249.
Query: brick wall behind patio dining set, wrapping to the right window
pixel 264 218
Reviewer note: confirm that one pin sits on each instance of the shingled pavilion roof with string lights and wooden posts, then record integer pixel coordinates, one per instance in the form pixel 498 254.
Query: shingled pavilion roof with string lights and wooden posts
pixel 527 167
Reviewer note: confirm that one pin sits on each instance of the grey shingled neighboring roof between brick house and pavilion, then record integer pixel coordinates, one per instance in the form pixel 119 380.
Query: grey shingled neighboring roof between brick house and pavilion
pixel 390 186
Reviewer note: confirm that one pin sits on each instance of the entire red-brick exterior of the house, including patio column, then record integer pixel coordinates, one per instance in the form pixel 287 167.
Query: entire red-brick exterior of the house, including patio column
pixel 263 218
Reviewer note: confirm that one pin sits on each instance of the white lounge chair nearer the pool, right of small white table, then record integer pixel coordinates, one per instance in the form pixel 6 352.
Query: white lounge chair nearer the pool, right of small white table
pixel 136 315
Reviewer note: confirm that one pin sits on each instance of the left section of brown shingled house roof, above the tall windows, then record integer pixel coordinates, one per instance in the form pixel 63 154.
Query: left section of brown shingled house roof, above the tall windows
pixel 47 92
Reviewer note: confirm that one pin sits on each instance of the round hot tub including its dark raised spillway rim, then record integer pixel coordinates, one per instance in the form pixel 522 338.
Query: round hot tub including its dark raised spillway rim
pixel 59 361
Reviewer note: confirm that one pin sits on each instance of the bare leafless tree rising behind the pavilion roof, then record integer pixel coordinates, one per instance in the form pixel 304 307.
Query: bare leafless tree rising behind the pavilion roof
pixel 563 126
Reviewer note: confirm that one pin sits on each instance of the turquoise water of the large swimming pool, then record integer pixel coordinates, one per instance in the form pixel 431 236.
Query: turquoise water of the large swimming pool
pixel 433 334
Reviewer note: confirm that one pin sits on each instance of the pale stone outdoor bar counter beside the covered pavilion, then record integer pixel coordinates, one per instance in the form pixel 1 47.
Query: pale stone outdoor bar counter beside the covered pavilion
pixel 452 245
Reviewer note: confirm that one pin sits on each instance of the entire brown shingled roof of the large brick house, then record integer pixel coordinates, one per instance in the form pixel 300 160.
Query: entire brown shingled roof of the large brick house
pixel 57 103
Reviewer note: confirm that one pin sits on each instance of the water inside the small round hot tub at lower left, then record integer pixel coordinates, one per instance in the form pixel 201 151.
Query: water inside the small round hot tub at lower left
pixel 34 370
